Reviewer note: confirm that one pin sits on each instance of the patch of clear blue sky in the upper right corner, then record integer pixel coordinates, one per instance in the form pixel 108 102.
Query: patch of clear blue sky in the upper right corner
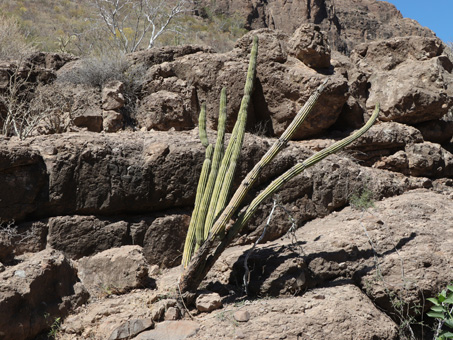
pixel 434 14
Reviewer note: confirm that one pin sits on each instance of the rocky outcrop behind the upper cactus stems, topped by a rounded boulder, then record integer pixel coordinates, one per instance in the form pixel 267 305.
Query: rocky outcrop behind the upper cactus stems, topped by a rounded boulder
pixel 173 91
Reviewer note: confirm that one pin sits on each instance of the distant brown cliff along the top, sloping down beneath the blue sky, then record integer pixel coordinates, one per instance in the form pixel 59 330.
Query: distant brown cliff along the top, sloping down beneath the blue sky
pixel 346 22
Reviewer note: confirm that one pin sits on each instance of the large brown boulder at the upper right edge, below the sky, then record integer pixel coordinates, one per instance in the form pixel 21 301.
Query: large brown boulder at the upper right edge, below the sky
pixel 394 66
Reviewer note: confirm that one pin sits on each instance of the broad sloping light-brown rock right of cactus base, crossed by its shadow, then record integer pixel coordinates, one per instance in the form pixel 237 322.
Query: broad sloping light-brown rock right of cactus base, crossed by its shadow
pixel 402 232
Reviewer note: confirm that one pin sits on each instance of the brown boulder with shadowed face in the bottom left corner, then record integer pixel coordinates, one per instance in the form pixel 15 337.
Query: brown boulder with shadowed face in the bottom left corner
pixel 36 292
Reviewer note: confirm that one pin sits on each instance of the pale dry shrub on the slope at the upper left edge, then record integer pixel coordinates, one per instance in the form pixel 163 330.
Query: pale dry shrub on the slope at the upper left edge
pixel 13 44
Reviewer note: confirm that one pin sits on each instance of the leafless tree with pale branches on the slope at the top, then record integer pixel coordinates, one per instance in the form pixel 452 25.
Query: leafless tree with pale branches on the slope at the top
pixel 132 23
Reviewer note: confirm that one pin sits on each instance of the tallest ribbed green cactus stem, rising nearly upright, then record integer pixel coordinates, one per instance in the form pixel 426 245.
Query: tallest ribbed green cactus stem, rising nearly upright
pixel 229 161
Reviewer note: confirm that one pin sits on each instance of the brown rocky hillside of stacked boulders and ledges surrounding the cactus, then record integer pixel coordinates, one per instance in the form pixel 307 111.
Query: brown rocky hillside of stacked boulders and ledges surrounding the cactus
pixel 96 200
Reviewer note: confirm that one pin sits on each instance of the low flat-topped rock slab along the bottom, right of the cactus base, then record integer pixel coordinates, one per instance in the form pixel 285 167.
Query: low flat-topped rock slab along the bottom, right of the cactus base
pixel 307 317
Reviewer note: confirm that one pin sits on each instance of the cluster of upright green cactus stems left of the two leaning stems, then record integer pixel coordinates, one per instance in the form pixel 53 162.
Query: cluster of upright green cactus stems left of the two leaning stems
pixel 213 189
